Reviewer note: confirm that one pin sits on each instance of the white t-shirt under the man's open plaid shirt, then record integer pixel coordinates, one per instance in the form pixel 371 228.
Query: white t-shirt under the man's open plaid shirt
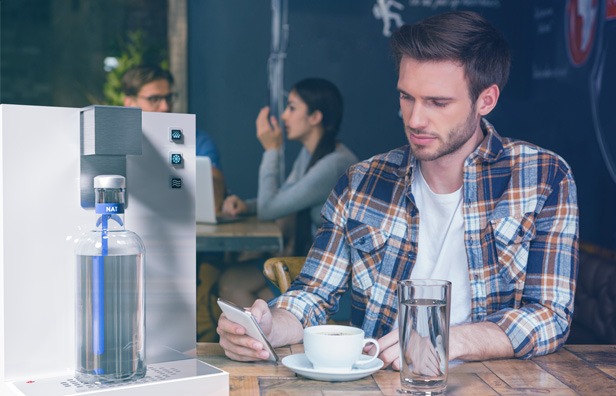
pixel 441 253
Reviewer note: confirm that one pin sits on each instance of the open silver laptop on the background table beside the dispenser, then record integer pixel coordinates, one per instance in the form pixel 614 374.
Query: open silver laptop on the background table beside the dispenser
pixel 205 209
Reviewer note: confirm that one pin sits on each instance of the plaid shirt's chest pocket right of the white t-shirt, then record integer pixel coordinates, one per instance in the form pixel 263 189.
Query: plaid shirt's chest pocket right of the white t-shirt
pixel 512 236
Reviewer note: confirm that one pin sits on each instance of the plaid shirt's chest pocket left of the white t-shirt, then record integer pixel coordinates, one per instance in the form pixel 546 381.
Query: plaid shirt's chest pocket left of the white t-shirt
pixel 366 244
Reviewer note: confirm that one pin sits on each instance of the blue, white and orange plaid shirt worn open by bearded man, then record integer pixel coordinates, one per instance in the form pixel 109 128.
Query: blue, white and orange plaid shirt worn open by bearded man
pixel 520 233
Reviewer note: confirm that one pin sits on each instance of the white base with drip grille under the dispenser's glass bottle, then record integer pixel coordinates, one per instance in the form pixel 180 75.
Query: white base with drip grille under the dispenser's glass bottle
pixel 182 377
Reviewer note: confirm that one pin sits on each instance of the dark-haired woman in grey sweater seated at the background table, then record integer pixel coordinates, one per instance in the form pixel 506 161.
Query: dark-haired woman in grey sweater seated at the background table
pixel 312 117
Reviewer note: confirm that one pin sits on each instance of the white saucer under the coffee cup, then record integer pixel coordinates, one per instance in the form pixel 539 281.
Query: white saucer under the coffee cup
pixel 300 364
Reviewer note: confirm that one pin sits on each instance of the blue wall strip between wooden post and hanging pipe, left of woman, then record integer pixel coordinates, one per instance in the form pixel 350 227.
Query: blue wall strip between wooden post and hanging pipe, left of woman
pixel 229 45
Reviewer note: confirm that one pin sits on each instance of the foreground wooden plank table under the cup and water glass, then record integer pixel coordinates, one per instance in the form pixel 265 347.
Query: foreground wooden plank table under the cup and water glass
pixel 573 370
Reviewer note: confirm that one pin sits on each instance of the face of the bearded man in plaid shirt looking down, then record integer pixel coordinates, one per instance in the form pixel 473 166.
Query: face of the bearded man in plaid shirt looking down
pixel 439 117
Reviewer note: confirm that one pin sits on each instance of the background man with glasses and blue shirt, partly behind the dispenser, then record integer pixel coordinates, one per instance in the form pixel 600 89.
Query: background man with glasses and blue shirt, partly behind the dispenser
pixel 151 89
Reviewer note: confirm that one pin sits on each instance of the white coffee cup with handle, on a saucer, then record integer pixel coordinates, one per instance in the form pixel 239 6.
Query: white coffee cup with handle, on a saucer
pixel 336 347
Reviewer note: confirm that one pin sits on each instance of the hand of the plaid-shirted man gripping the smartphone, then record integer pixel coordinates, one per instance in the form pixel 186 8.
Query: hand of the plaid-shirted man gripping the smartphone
pixel 235 342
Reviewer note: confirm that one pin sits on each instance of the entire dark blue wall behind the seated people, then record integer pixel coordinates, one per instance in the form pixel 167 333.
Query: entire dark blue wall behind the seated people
pixel 558 96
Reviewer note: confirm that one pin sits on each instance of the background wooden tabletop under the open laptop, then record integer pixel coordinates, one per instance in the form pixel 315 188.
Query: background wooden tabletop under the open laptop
pixel 244 235
